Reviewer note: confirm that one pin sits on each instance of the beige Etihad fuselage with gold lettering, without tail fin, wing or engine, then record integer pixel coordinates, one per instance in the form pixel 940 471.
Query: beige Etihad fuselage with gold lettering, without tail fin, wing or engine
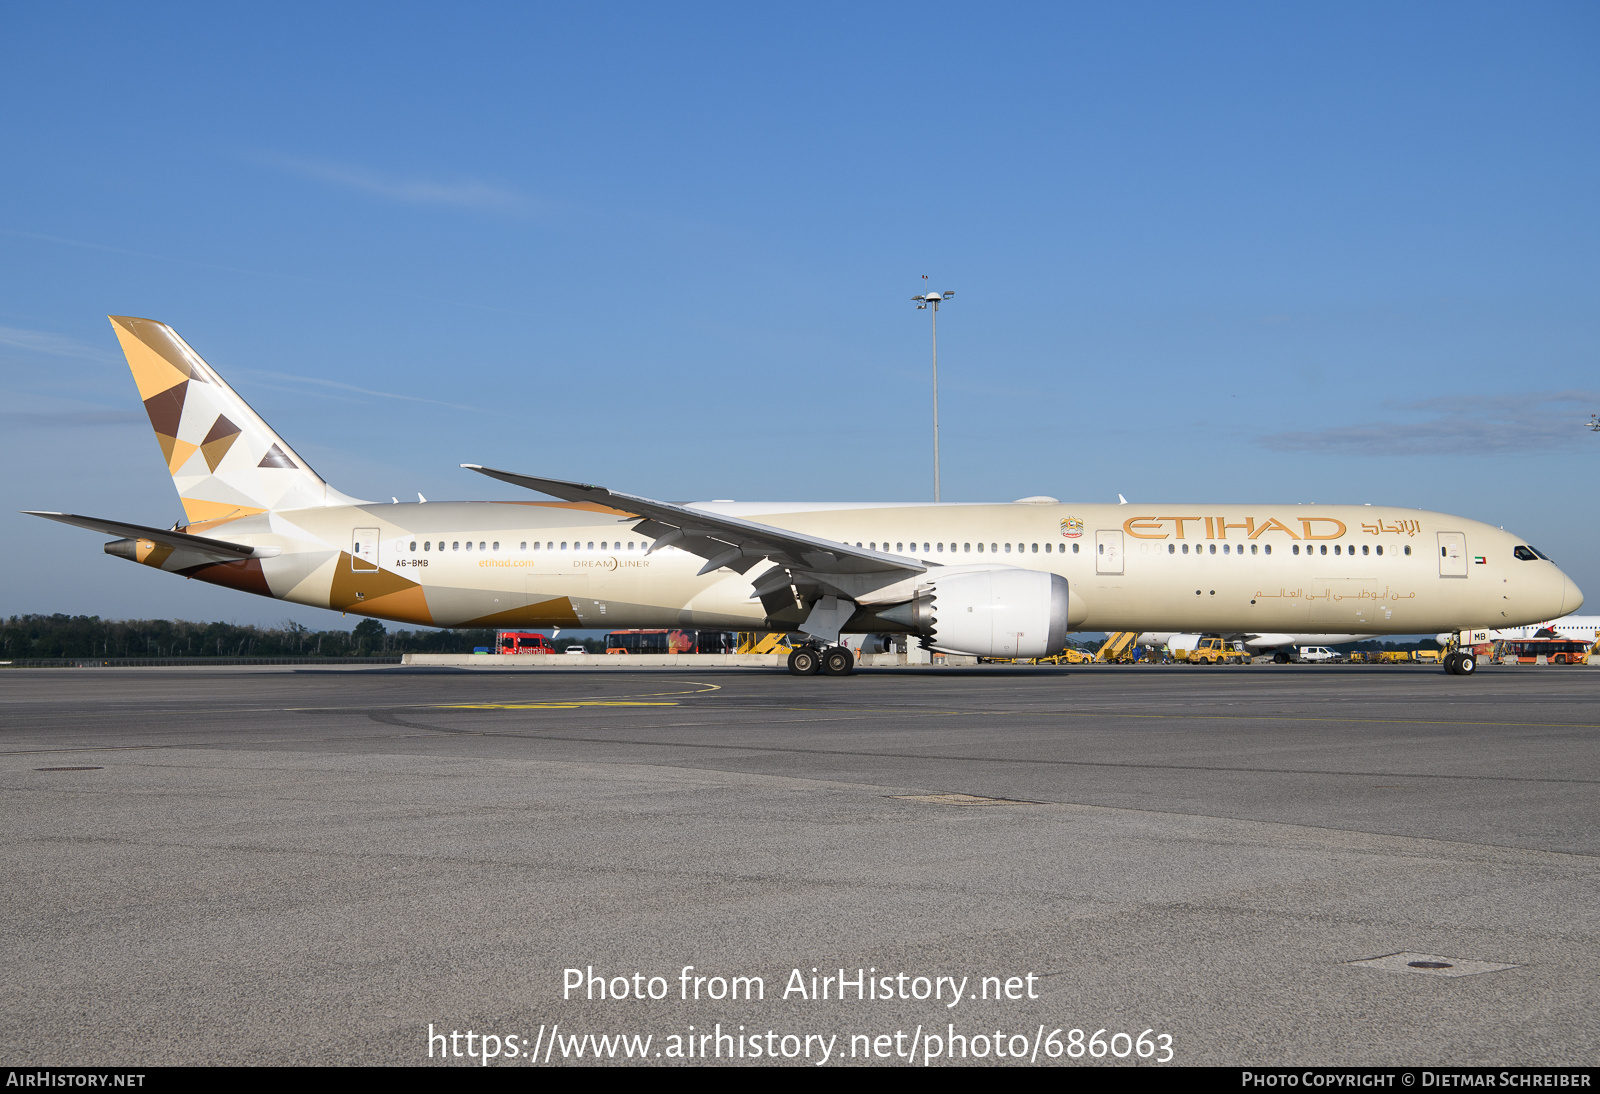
pixel 1169 567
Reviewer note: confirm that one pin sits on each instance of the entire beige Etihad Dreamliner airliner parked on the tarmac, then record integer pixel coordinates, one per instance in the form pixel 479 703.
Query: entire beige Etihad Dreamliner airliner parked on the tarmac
pixel 994 580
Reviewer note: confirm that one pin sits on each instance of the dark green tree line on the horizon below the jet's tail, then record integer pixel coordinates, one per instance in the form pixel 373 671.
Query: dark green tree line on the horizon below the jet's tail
pixel 33 637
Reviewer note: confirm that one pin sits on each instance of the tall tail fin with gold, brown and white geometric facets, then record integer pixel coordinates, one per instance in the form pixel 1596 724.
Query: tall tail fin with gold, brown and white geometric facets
pixel 226 463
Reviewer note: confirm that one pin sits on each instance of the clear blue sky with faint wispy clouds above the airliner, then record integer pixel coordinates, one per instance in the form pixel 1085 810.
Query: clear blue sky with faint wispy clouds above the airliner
pixel 1201 252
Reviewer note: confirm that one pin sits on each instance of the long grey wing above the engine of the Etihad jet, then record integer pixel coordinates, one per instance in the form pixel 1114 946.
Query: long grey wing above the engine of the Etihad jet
pixel 734 543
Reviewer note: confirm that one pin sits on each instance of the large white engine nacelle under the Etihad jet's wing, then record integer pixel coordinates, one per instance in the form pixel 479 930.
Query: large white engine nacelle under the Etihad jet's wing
pixel 999 613
